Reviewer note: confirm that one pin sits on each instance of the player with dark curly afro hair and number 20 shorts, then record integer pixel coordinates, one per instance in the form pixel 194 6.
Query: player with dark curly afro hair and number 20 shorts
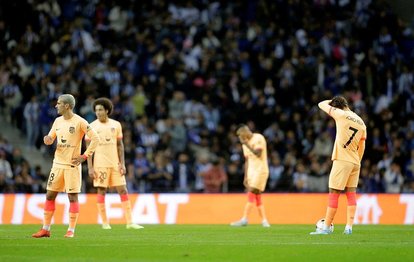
pixel 107 165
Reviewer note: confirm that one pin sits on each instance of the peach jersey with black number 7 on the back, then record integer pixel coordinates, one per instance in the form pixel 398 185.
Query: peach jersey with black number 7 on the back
pixel 350 130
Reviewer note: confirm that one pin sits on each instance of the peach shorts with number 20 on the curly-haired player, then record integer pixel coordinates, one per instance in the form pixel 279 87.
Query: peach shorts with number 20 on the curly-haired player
pixel 108 177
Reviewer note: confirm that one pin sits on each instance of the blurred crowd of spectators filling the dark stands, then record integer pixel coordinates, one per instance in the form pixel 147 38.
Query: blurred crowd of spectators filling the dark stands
pixel 182 75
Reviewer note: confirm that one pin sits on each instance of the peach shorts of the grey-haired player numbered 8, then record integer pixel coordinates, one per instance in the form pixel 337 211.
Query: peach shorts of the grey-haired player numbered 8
pixel 65 180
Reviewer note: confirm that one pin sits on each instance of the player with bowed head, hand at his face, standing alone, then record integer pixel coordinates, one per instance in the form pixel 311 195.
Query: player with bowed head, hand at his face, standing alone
pixel 256 172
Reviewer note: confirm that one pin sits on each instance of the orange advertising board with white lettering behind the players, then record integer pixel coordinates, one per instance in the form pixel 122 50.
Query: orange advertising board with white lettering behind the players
pixel 210 208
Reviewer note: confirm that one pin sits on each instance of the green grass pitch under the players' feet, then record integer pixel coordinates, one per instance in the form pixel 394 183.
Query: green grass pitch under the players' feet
pixel 208 243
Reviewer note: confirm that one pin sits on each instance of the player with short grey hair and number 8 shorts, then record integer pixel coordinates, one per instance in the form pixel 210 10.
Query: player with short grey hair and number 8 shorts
pixel 65 175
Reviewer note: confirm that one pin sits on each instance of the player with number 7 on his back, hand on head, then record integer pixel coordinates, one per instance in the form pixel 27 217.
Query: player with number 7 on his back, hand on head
pixel 348 150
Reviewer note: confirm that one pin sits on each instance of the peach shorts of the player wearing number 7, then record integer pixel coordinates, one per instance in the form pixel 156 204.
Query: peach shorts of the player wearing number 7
pixel 344 174
